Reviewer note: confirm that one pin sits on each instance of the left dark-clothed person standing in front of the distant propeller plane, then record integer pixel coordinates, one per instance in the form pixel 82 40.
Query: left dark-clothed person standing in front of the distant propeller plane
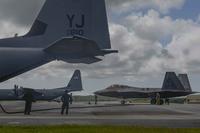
pixel 28 97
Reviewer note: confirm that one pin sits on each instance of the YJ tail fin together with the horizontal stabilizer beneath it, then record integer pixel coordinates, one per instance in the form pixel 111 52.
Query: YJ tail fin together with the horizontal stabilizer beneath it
pixel 76 31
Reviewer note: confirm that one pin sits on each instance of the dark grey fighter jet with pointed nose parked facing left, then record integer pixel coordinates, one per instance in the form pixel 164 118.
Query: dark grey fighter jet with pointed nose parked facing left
pixel 172 87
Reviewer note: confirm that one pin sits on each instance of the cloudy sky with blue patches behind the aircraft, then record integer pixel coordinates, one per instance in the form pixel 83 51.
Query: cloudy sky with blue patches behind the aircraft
pixel 153 36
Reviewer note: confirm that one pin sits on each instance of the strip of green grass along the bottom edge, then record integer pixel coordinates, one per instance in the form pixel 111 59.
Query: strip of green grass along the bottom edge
pixel 90 129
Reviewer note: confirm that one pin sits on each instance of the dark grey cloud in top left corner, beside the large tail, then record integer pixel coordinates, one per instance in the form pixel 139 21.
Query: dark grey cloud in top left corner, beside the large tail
pixel 20 12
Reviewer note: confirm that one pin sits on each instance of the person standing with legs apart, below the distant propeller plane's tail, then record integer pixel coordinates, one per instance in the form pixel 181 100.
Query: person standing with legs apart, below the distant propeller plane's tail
pixel 66 99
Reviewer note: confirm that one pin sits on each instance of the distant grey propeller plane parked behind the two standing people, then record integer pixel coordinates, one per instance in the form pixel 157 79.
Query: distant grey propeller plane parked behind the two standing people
pixel 75 84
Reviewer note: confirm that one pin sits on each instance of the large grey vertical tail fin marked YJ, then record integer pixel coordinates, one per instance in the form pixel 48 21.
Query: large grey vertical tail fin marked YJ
pixel 67 18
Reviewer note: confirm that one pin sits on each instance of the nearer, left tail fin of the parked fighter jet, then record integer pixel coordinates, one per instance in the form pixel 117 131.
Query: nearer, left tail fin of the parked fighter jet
pixel 171 82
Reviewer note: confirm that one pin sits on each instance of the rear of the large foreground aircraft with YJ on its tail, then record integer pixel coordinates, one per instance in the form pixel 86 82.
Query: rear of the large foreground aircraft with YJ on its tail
pixel 73 31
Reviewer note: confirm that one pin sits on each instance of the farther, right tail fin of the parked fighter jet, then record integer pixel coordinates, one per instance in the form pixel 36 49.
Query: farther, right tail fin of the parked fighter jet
pixel 185 82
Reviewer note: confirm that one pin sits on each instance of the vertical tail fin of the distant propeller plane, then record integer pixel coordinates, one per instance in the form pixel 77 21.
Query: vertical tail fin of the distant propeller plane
pixel 75 84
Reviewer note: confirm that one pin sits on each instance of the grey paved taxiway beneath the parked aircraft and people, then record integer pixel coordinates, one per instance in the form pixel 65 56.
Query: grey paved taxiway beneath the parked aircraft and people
pixel 175 115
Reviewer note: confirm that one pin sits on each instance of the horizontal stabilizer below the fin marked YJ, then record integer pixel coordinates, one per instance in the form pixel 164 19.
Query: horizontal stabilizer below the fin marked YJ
pixel 76 50
